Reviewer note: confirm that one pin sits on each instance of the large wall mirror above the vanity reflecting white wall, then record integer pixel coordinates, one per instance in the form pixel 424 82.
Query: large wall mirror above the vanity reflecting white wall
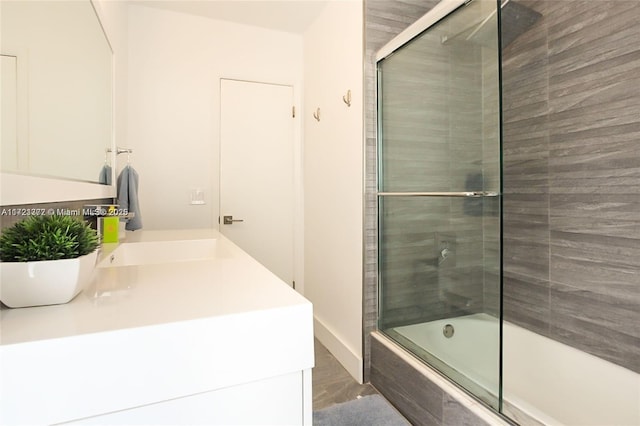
pixel 56 90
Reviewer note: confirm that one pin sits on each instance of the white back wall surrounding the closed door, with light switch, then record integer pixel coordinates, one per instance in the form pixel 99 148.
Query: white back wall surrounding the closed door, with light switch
pixel 175 62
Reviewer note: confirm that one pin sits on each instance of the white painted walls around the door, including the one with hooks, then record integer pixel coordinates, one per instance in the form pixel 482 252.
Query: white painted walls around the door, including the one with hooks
pixel 175 63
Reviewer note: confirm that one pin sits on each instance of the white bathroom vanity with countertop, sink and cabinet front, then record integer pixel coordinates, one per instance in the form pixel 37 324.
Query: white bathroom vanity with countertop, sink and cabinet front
pixel 177 327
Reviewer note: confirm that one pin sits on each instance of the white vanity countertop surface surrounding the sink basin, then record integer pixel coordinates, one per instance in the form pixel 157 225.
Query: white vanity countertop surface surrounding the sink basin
pixel 142 295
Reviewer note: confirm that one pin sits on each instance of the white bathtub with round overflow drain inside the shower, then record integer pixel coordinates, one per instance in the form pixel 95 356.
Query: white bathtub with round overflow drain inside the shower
pixel 544 381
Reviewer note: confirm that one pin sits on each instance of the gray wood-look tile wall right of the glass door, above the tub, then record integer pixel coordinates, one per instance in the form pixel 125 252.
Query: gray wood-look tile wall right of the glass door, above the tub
pixel 571 90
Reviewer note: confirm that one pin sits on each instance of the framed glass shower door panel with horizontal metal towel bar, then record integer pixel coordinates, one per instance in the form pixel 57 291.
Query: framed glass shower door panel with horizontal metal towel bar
pixel 439 197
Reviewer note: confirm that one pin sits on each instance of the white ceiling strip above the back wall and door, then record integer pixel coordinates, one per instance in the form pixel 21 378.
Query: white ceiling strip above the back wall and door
pixel 293 16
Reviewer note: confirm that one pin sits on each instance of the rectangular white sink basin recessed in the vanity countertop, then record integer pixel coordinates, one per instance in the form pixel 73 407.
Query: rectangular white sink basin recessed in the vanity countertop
pixel 149 253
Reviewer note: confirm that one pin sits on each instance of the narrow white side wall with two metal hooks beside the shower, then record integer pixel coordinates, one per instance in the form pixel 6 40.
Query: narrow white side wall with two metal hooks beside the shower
pixel 333 179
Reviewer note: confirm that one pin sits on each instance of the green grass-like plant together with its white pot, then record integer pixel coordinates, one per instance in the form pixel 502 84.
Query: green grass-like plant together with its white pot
pixel 46 260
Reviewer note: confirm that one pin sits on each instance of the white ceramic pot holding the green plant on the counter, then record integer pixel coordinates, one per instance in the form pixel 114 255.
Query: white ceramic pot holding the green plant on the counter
pixel 45 282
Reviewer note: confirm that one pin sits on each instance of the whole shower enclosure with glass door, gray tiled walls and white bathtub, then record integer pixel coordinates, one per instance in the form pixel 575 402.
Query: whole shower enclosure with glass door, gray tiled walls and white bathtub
pixel 508 209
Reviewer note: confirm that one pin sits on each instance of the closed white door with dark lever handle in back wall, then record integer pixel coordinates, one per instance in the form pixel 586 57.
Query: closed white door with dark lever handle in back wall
pixel 256 171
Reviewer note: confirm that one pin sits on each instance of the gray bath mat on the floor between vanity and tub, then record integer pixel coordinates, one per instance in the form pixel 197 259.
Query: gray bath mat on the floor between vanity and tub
pixel 371 410
